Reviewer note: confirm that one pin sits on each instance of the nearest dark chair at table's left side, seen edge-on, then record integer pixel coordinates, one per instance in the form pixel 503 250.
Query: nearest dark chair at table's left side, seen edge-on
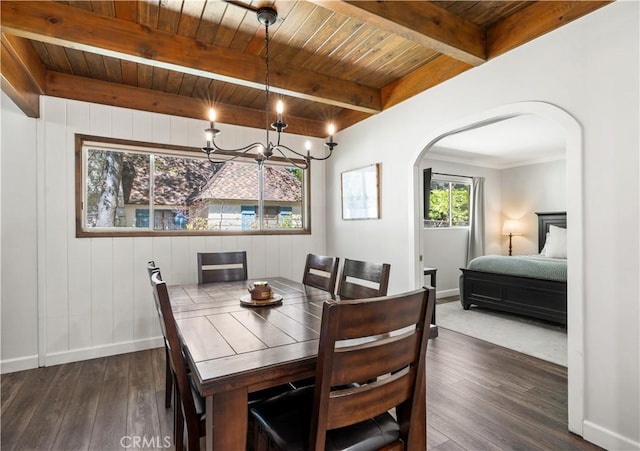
pixel 188 404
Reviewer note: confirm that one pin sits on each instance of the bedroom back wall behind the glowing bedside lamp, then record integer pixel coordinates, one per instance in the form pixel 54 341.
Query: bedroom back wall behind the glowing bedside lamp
pixel 526 190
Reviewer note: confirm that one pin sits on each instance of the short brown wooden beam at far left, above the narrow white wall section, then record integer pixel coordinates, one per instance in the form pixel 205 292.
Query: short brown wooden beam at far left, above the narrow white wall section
pixel 23 74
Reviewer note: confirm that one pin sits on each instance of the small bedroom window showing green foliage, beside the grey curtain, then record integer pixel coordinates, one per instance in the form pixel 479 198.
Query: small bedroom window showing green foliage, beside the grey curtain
pixel 446 200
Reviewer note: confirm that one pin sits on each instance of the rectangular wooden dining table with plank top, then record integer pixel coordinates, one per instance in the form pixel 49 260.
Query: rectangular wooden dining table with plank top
pixel 234 348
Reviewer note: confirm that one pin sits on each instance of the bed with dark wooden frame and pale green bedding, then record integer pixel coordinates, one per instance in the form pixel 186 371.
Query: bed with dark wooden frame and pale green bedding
pixel 539 294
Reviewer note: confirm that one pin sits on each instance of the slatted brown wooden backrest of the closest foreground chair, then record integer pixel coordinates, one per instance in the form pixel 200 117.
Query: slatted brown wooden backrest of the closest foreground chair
pixel 382 341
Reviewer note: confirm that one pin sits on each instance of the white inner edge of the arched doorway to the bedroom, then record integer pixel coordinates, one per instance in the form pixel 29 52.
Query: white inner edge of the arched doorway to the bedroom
pixel 575 282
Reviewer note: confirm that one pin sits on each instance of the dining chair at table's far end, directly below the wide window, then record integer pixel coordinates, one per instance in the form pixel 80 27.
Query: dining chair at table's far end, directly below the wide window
pixel 222 266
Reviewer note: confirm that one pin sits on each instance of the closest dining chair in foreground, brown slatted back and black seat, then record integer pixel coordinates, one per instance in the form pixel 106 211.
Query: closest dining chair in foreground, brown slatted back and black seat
pixel 359 341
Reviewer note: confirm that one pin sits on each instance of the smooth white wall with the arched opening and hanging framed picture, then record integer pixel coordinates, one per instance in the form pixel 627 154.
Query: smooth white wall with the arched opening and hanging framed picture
pixel 589 68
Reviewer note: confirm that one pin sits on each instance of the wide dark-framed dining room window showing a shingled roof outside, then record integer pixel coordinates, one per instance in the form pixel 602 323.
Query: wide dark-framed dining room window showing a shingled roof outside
pixel 128 188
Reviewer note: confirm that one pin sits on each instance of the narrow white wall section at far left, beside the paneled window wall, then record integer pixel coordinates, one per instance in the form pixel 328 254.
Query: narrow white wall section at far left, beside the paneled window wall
pixel 19 302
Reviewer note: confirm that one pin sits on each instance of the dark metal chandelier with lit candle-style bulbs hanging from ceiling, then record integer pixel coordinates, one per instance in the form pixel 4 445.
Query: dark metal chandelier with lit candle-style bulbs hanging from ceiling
pixel 266 16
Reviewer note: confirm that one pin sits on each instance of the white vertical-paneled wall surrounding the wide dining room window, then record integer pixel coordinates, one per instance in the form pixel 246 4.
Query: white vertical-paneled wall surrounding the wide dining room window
pixel 93 294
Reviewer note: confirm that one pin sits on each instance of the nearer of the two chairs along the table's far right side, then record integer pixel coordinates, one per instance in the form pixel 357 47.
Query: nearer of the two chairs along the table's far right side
pixel 361 280
